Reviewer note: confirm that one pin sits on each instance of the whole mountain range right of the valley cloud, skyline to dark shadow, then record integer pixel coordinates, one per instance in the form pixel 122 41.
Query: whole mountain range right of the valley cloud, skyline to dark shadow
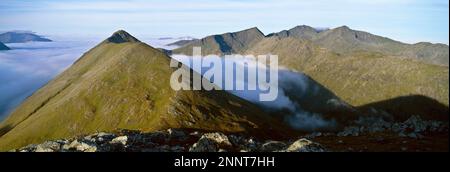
pixel 359 67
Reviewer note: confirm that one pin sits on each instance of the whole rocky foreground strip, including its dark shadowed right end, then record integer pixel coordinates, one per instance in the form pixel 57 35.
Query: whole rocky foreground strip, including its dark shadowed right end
pixel 366 134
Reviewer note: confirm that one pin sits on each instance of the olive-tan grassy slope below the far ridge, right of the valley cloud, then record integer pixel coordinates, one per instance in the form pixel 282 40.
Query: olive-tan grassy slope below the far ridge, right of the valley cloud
pixel 361 77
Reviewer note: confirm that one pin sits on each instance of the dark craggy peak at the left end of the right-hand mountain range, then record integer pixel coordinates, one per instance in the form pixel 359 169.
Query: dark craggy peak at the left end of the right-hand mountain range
pixel 227 43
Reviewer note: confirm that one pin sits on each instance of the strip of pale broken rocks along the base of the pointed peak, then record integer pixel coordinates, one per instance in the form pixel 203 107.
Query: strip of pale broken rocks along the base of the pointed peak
pixel 171 140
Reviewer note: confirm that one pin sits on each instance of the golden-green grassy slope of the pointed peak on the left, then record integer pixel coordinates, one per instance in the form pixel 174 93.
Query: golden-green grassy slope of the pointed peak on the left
pixel 123 83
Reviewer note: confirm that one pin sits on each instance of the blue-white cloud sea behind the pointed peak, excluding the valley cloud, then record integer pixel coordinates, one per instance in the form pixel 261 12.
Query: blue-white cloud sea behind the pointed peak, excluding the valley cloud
pixel 29 66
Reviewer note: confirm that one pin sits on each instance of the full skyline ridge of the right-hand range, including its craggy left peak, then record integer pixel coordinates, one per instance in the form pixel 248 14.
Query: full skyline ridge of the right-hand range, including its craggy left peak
pixel 343 40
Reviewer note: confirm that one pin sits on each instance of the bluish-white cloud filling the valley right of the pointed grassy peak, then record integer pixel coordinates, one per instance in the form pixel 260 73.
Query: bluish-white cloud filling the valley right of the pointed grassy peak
pixel 294 90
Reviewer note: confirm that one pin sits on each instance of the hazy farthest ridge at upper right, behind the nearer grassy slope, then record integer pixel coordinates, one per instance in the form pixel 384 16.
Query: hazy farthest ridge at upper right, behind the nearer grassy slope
pixel 346 41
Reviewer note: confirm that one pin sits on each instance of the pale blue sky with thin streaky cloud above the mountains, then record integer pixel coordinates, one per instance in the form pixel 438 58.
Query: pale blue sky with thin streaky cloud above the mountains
pixel 404 20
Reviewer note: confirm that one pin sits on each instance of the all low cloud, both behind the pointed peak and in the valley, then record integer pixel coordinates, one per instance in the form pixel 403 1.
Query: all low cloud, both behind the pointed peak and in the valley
pixel 28 66
